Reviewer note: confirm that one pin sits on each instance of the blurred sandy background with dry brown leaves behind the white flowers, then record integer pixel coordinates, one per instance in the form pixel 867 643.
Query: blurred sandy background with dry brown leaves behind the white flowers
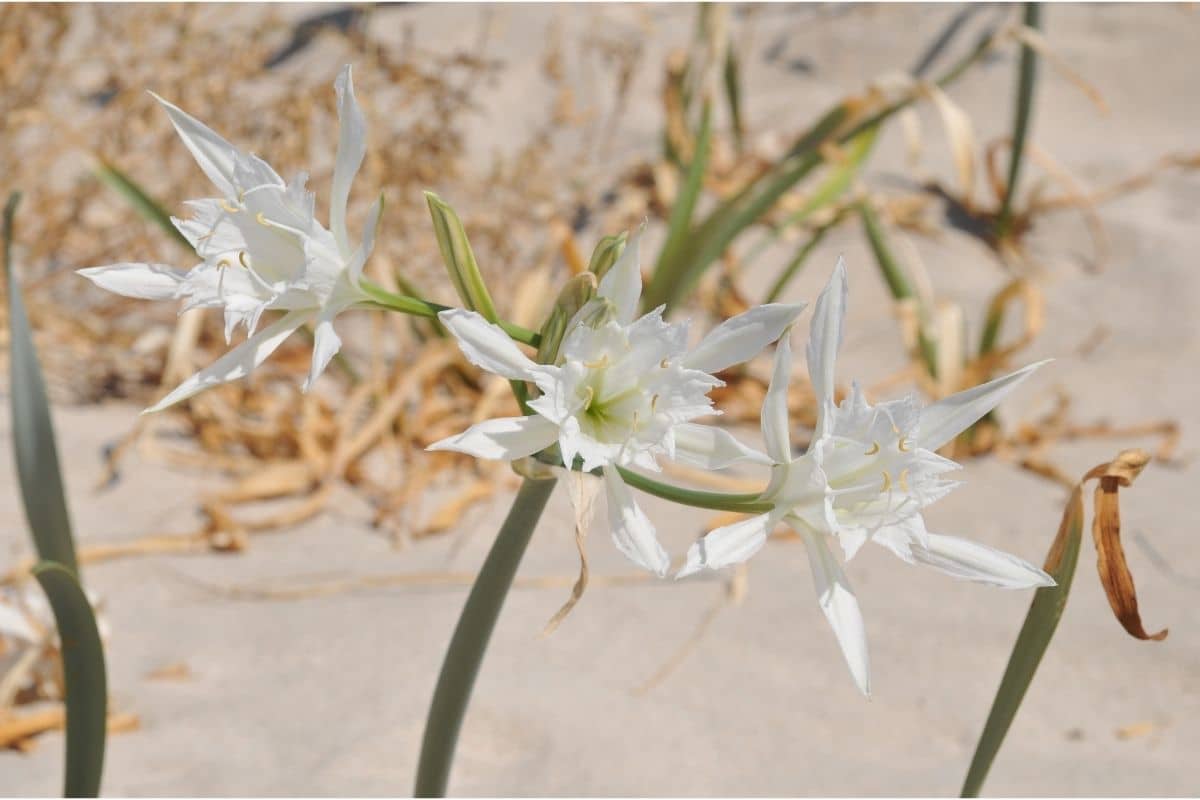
pixel 280 574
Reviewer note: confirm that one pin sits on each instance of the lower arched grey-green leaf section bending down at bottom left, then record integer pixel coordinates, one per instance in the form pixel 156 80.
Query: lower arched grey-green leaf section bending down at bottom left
pixel 83 672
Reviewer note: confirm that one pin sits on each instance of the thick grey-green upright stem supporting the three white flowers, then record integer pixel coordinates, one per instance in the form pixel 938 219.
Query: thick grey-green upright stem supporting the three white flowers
pixel 471 637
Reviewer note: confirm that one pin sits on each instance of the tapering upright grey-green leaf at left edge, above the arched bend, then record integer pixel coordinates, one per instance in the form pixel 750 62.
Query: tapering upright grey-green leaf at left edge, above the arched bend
pixel 33 431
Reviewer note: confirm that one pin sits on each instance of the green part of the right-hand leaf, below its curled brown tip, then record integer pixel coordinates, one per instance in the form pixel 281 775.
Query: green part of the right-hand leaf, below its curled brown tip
pixel 1031 643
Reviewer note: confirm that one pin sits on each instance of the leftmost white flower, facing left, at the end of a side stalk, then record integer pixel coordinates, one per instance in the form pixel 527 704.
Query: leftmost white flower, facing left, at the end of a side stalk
pixel 262 249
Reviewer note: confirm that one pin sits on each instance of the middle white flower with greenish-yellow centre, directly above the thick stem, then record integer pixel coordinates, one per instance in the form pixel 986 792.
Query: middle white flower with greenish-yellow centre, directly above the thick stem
pixel 623 394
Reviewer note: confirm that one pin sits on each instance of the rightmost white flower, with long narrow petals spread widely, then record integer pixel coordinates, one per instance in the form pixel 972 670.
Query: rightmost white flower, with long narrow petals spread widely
pixel 867 476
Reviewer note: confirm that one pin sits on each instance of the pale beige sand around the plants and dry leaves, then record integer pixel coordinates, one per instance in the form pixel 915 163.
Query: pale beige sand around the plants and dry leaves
pixel 328 696
